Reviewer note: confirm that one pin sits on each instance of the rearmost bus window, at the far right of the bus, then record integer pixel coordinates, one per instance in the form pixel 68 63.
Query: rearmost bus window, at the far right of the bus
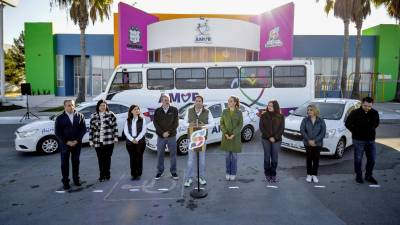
pixel 289 76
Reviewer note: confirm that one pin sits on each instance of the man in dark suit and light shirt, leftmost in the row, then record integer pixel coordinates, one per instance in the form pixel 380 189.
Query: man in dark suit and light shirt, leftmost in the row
pixel 69 128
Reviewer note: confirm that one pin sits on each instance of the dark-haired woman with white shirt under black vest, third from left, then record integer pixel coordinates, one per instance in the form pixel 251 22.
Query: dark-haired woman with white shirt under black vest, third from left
pixel 135 130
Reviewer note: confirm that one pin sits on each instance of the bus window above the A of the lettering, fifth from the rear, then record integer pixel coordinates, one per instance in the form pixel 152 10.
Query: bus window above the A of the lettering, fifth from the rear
pixel 160 79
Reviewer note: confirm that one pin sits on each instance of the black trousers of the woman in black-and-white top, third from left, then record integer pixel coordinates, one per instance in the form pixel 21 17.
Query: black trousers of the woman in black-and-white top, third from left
pixel 136 157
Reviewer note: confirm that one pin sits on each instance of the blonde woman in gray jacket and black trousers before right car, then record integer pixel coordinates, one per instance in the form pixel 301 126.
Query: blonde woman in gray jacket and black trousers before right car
pixel 313 130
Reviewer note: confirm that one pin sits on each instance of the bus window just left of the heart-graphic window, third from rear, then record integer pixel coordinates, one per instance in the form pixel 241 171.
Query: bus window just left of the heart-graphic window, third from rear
pixel 221 78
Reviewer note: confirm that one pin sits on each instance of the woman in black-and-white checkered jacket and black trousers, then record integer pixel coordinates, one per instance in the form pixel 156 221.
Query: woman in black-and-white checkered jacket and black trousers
pixel 103 133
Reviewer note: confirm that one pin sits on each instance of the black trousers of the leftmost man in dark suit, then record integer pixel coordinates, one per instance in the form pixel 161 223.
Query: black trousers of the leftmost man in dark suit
pixel 66 152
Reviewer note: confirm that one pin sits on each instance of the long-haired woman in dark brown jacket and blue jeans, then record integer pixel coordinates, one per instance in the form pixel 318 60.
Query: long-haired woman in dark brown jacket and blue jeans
pixel 272 124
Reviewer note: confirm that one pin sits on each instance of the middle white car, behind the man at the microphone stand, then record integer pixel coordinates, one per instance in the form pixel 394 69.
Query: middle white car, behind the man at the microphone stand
pixel 250 126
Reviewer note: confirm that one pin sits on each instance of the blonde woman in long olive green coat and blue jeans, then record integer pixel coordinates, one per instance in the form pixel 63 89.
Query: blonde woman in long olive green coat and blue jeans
pixel 231 125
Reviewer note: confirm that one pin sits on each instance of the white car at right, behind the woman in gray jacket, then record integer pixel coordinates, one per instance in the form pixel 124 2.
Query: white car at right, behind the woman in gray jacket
pixel 334 111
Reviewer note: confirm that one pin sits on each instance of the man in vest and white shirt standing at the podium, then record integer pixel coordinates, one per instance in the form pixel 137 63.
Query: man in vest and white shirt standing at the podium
pixel 197 116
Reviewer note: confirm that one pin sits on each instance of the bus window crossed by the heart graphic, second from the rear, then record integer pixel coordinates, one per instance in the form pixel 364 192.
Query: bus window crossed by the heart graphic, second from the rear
pixel 255 77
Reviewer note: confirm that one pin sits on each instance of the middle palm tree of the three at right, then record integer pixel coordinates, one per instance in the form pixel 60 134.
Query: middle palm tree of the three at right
pixel 361 9
